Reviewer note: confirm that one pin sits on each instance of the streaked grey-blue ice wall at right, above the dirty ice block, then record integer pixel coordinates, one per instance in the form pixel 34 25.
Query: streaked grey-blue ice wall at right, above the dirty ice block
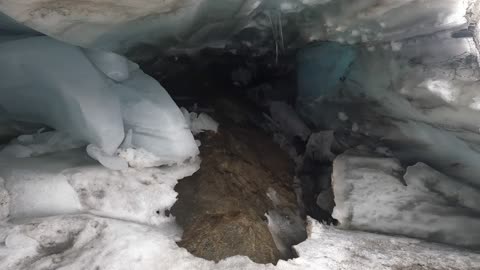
pixel 420 100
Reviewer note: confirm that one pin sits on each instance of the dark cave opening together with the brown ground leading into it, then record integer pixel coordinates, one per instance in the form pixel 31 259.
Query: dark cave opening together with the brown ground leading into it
pixel 247 185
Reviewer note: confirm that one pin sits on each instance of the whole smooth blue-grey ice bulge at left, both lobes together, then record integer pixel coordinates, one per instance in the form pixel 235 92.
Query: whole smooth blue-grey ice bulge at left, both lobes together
pixel 98 98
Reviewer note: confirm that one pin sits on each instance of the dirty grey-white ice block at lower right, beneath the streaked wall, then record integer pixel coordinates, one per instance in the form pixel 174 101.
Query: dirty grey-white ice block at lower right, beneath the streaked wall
pixel 371 195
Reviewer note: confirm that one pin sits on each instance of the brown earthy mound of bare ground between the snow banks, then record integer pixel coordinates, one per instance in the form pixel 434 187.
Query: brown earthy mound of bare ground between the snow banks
pixel 245 182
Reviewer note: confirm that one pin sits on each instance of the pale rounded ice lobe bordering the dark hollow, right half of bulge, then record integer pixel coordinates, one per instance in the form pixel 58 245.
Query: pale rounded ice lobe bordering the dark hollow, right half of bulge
pixel 157 124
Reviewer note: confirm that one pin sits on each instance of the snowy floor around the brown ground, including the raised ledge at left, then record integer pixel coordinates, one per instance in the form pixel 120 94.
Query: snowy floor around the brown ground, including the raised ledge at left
pixel 64 211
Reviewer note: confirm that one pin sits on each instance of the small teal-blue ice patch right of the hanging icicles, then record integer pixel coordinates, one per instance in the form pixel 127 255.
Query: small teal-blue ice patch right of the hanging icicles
pixel 320 68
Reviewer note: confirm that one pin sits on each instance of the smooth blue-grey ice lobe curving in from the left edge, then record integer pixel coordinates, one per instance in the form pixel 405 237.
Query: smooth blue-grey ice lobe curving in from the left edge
pixel 62 89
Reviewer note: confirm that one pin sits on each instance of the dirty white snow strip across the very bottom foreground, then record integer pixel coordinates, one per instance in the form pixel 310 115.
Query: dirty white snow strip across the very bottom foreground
pixel 89 242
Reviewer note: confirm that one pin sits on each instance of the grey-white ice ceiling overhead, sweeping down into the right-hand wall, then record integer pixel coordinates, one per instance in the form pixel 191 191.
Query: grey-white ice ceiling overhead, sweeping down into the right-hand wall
pixel 418 58
